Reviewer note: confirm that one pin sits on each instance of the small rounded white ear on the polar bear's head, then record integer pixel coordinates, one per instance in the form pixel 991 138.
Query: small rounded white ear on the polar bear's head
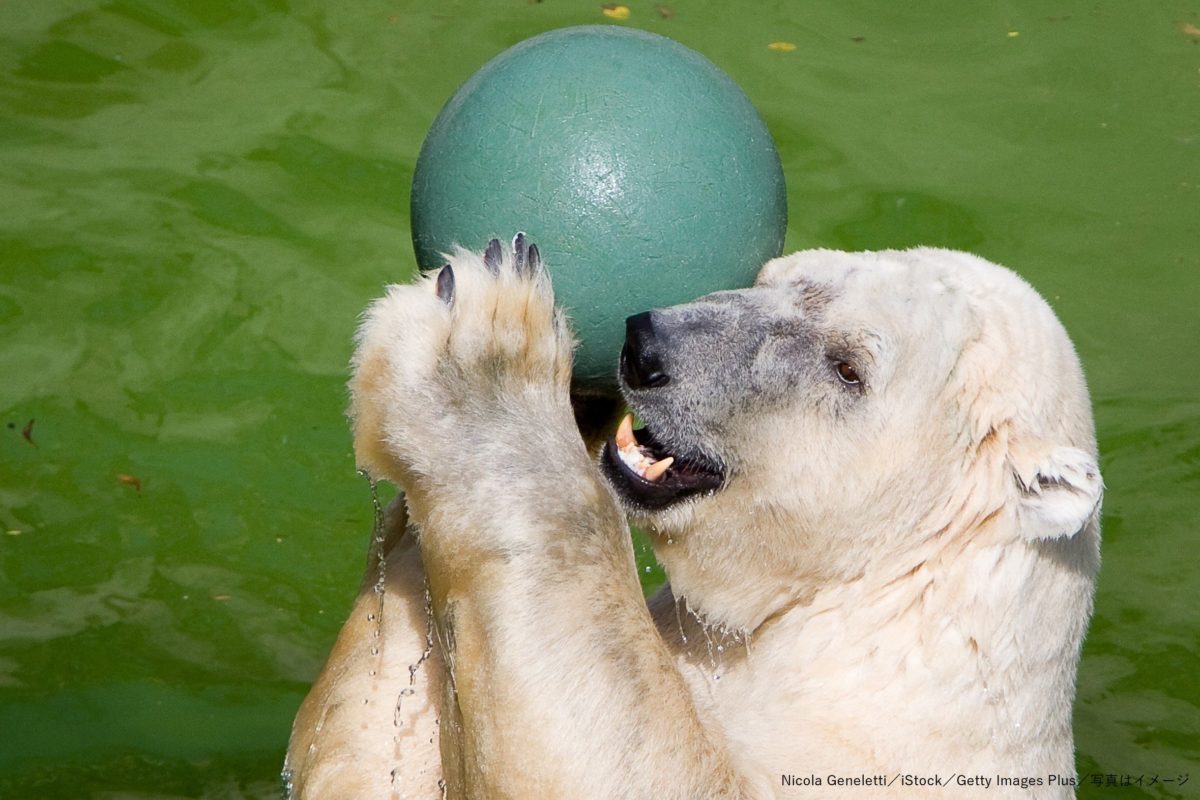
pixel 1059 491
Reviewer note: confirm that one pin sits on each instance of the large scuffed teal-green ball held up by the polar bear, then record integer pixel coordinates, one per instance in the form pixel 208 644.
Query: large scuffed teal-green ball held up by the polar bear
pixel 639 169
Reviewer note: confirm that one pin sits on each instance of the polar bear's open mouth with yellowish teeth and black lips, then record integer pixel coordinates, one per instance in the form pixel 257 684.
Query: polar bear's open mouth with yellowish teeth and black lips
pixel 650 477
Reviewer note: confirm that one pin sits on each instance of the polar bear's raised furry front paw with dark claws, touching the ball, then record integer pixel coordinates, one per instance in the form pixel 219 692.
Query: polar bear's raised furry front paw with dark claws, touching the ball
pixel 442 362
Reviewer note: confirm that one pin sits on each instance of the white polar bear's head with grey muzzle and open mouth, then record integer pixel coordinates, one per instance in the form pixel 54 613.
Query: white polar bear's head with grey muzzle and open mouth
pixel 854 414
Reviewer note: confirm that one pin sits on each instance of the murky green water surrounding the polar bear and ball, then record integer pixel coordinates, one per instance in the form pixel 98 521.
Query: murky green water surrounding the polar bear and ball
pixel 199 199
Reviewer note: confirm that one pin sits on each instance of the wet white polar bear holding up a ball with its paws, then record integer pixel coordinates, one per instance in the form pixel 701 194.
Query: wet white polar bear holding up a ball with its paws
pixel 872 479
